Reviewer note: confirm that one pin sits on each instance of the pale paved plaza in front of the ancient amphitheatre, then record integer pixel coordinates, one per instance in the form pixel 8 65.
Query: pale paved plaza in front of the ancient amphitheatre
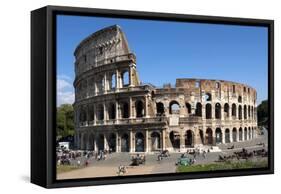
pixel 109 167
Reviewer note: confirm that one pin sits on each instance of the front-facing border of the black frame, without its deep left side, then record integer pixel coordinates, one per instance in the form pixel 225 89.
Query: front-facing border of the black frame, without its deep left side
pixel 51 12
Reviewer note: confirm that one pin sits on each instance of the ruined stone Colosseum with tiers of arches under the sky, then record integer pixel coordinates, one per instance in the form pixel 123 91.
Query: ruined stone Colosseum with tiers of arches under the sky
pixel 115 110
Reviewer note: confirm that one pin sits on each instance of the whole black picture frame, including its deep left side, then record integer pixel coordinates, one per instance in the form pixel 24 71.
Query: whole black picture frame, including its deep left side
pixel 43 94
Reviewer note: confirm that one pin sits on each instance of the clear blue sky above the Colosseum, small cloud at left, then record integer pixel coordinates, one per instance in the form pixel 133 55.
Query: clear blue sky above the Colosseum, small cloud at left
pixel 169 50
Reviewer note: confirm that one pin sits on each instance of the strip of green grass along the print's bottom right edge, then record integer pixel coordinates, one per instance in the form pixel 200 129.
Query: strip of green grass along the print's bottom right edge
pixel 223 166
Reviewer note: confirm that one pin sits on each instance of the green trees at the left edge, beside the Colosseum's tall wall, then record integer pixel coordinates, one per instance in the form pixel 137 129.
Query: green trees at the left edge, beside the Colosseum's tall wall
pixel 65 120
